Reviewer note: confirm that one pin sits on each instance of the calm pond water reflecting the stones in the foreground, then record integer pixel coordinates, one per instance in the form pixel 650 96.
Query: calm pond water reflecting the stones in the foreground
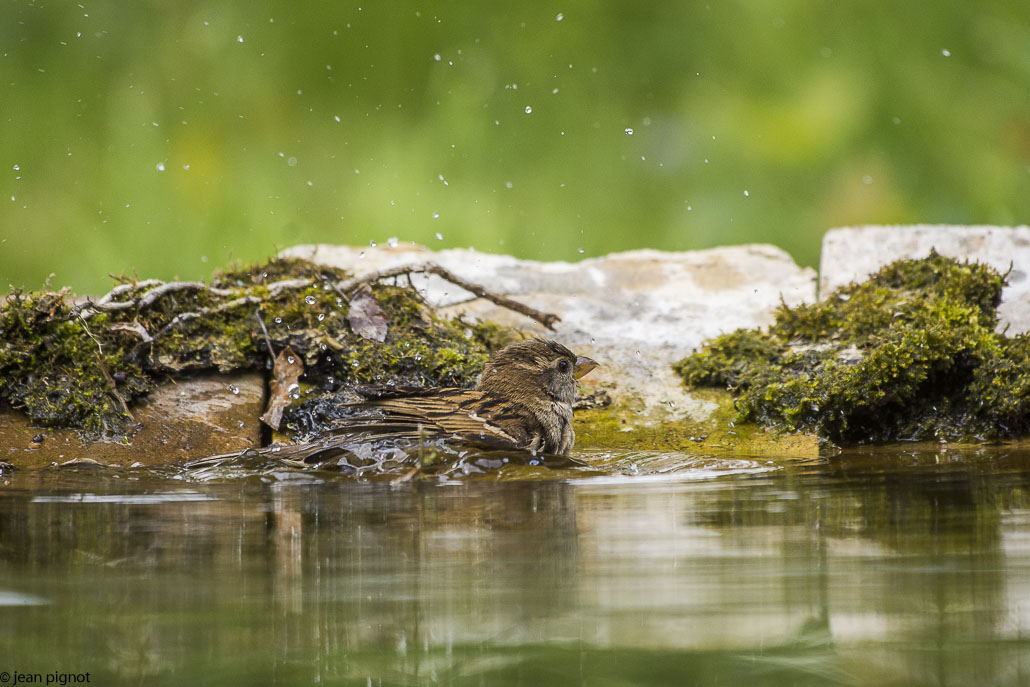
pixel 883 567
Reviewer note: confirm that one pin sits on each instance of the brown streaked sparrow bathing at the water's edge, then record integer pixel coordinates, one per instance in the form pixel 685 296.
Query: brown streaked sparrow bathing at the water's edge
pixel 524 401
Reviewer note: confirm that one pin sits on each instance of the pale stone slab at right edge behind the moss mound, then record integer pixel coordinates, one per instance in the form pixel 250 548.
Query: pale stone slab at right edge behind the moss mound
pixel 854 253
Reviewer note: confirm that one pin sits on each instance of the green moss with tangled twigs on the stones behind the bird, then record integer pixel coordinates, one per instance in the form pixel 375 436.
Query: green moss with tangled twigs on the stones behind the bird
pixel 70 365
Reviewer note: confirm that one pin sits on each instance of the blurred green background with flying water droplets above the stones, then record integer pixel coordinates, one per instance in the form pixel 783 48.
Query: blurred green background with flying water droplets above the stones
pixel 173 138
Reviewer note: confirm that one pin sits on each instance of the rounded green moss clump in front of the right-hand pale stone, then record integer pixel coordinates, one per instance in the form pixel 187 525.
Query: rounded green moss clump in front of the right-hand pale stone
pixel 909 355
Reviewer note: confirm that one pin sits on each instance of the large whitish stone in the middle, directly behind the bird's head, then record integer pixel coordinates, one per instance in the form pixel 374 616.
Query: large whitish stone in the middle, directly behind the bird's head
pixel 636 313
